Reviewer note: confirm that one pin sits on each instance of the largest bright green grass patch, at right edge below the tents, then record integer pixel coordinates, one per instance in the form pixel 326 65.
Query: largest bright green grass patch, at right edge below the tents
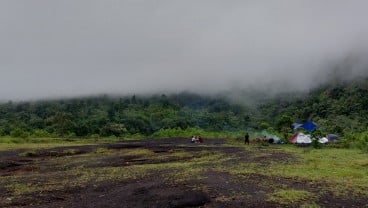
pixel 344 171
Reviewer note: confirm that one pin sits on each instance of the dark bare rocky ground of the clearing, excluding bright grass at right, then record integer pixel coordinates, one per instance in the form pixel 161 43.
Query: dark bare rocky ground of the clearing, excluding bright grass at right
pixel 21 172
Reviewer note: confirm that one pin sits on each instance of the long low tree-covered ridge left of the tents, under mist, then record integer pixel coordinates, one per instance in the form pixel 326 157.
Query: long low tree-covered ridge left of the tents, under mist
pixel 105 116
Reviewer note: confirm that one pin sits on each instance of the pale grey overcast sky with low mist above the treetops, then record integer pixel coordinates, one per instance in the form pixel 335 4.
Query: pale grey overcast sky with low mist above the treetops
pixel 52 48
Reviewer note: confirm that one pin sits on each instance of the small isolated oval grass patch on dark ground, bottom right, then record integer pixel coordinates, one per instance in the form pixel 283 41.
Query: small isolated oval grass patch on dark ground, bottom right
pixel 290 196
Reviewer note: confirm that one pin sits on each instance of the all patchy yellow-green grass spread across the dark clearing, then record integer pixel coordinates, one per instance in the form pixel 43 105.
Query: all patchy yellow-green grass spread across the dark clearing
pixel 338 170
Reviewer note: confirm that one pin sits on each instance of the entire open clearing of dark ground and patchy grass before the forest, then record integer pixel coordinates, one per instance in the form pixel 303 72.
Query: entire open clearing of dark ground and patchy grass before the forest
pixel 176 173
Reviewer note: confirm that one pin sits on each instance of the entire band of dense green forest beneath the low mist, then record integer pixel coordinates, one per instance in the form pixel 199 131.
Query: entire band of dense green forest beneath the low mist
pixel 340 109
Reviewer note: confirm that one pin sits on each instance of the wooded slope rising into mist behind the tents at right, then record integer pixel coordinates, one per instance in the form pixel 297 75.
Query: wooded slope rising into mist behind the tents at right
pixel 337 108
